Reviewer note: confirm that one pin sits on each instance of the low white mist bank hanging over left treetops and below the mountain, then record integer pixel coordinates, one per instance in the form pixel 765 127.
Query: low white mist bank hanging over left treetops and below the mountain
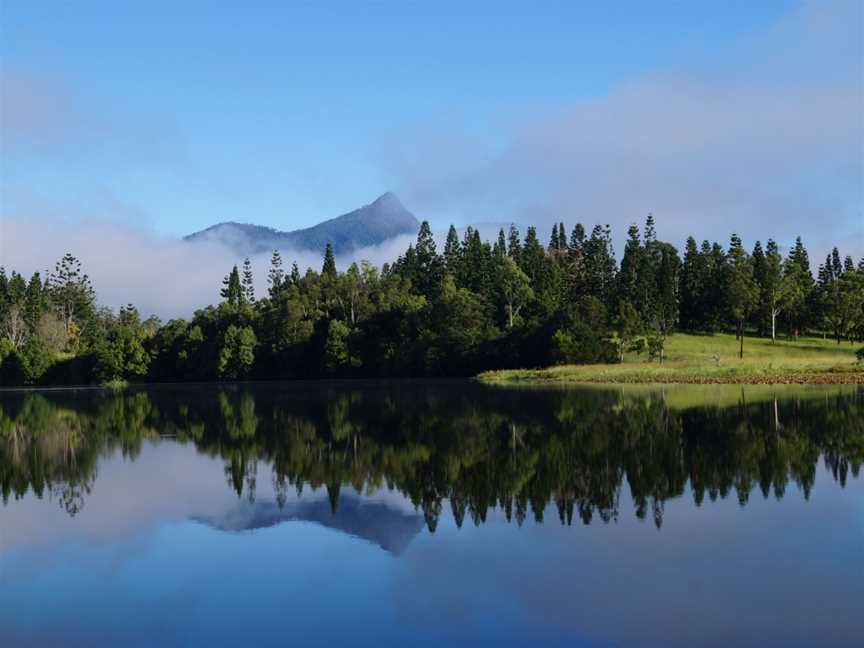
pixel 166 277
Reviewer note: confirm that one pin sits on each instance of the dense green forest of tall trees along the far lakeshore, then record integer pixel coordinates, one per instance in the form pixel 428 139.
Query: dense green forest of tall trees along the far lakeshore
pixel 475 306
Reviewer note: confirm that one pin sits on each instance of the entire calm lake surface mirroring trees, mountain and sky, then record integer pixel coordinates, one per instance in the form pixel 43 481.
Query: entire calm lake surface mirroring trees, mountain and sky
pixel 432 514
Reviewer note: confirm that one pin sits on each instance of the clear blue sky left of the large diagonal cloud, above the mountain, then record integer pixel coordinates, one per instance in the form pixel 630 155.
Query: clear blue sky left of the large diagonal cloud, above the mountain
pixel 184 114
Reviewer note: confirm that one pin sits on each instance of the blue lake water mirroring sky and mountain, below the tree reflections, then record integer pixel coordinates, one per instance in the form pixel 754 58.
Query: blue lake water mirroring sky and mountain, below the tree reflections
pixel 163 551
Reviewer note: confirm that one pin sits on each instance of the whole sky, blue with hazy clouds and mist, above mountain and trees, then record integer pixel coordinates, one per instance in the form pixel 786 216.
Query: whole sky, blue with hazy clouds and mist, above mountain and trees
pixel 124 126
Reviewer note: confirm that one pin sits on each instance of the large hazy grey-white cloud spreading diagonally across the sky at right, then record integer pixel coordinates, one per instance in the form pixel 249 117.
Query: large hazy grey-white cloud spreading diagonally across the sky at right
pixel 770 145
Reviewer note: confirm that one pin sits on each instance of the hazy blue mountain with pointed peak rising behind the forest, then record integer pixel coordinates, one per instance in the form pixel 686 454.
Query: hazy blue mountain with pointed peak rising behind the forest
pixel 372 224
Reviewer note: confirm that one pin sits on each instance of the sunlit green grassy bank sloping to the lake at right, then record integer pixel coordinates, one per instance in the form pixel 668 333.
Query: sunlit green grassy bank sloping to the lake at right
pixel 713 359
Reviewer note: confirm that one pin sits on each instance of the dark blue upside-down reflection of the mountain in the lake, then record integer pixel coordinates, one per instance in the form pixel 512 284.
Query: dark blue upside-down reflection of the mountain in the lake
pixel 376 522
